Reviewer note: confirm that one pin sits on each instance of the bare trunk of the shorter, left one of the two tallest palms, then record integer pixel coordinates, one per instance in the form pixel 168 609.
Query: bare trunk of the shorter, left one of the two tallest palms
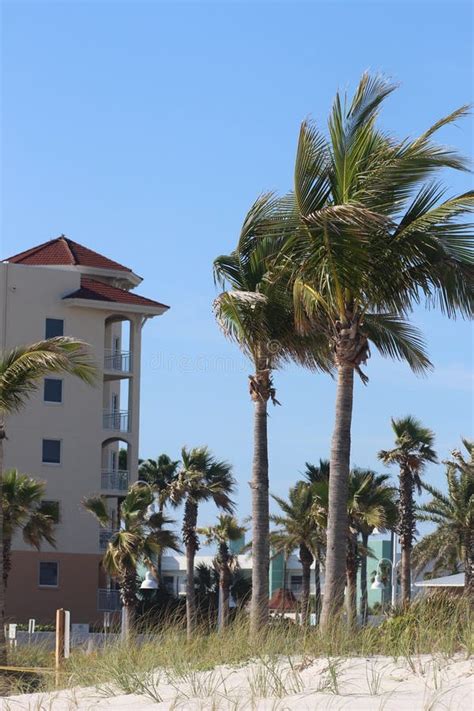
pixel 260 519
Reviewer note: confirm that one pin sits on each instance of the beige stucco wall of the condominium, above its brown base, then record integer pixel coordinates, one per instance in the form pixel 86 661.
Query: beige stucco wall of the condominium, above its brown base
pixel 28 295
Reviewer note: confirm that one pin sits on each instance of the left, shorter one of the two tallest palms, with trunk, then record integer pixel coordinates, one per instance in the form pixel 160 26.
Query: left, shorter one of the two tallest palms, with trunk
pixel 257 313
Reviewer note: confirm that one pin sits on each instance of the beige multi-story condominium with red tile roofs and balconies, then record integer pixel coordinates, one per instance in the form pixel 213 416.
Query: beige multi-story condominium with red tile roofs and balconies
pixel 72 435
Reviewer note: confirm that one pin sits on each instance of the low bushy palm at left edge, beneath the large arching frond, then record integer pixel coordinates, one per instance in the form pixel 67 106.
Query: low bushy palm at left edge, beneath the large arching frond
pixel 24 510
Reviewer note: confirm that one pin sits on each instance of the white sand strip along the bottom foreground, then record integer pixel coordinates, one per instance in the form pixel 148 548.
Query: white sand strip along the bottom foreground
pixel 423 683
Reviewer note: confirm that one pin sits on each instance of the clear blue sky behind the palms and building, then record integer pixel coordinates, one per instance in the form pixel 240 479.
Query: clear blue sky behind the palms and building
pixel 145 130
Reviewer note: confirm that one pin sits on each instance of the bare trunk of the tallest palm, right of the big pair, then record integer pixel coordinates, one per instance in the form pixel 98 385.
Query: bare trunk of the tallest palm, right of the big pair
pixel 338 492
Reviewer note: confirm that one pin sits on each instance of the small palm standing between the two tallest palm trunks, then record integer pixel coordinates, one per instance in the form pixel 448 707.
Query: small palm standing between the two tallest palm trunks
pixel 298 529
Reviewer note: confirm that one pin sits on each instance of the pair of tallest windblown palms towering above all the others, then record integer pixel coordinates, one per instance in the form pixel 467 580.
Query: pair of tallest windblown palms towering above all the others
pixel 308 282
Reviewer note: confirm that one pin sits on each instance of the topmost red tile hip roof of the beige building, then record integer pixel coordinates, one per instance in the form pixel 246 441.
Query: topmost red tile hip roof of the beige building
pixel 63 250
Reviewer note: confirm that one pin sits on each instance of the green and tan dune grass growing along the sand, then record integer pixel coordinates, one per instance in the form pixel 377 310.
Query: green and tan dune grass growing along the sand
pixel 438 625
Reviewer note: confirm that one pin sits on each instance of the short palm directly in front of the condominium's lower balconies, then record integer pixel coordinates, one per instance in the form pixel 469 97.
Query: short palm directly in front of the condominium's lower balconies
pixel 141 537
